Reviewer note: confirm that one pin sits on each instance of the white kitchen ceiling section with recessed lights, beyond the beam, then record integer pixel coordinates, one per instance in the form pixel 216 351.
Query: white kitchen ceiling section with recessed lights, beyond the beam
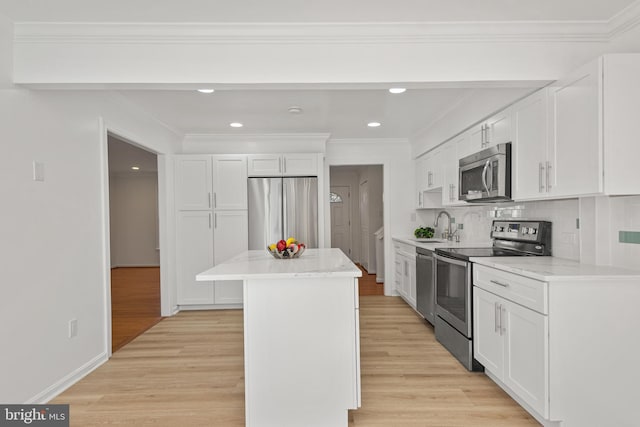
pixel 342 113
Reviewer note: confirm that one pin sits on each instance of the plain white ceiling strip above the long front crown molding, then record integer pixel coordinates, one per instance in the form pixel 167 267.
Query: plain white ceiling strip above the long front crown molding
pixel 310 11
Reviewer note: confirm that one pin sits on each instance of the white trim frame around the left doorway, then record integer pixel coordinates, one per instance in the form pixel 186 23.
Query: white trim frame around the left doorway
pixel 107 129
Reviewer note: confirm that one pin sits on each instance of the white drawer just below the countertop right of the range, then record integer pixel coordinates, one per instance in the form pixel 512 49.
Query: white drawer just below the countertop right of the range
pixel 519 289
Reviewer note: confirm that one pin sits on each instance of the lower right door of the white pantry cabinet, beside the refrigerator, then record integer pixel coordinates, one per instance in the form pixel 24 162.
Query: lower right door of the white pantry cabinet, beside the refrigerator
pixel 230 239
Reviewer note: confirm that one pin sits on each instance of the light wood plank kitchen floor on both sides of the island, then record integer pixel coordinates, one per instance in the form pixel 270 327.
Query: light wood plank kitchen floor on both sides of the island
pixel 188 371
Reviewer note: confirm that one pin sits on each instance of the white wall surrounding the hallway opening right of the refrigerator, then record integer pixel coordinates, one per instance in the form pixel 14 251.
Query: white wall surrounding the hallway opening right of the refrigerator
pixel 395 157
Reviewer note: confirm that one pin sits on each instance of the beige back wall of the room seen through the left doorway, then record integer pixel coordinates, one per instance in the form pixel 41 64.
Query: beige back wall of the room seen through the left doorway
pixel 133 204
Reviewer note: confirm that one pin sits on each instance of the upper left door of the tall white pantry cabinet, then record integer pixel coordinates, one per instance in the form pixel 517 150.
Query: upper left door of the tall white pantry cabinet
pixel 193 182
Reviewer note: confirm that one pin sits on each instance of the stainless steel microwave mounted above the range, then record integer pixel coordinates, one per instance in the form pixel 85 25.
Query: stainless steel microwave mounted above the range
pixel 486 175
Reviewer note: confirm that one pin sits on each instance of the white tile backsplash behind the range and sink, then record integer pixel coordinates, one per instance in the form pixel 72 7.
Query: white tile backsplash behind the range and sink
pixel 477 221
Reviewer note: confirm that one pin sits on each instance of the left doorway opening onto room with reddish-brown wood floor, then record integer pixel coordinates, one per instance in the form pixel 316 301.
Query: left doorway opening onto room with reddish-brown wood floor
pixel 134 240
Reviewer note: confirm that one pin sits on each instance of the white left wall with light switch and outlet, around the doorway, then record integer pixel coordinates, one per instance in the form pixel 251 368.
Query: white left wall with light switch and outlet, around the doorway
pixel 54 243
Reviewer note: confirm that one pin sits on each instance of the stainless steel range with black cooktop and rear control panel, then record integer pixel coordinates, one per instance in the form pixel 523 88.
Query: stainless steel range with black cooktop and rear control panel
pixel 454 272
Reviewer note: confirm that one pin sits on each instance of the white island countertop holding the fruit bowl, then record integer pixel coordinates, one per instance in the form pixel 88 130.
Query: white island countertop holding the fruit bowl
pixel 325 262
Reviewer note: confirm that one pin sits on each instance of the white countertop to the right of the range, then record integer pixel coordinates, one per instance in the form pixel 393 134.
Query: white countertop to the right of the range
pixel 555 269
